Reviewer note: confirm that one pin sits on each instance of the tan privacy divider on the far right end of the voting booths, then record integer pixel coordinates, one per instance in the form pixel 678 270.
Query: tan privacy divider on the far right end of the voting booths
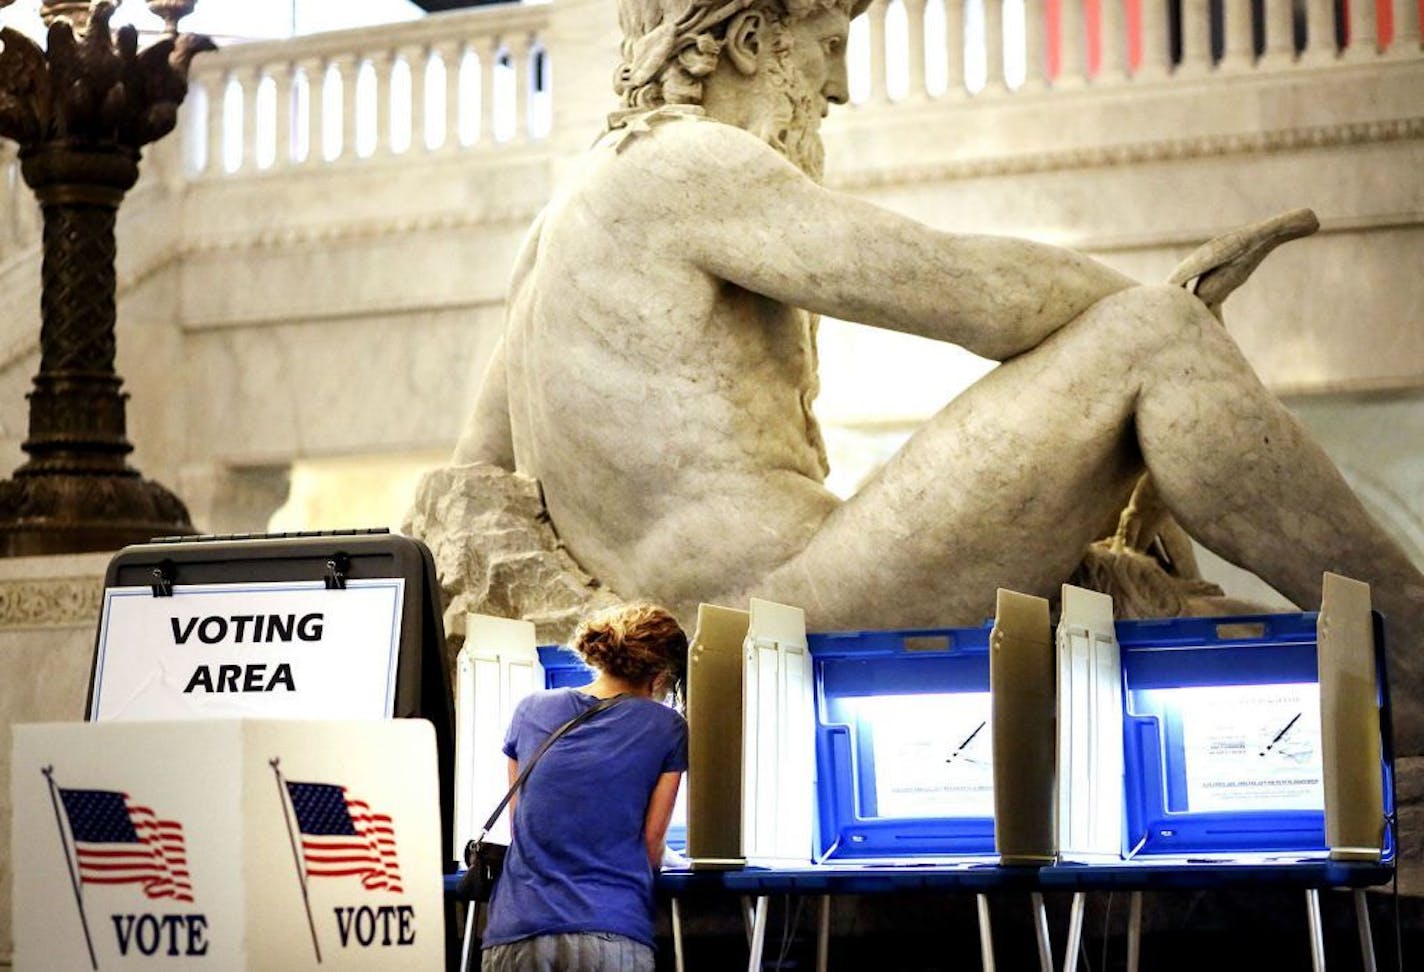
pixel 1349 721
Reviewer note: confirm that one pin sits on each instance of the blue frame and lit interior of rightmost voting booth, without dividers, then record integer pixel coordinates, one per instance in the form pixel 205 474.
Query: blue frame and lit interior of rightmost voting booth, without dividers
pixel 1170 670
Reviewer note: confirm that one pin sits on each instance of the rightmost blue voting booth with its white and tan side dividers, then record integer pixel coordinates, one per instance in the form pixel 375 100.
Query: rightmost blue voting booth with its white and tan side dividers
pixel 1193 739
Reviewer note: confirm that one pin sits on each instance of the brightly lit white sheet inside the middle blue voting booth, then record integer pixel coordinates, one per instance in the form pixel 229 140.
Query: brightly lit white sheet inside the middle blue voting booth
pixel 933 755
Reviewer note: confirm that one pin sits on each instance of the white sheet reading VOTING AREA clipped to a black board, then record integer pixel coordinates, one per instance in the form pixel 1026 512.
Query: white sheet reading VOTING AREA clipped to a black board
pixel 223 651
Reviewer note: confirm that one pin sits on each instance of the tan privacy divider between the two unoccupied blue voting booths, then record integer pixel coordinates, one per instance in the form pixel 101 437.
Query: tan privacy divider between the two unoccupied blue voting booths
pixel 1022 691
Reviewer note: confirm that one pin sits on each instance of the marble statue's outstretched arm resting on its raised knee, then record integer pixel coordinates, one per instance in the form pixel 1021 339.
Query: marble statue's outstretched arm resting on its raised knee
pixel 768 228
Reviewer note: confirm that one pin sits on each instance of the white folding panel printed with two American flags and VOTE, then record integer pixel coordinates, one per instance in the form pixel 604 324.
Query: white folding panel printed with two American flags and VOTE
pixel 227 845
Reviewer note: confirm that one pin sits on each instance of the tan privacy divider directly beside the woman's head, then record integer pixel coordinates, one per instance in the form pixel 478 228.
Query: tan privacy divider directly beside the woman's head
pixel 716 738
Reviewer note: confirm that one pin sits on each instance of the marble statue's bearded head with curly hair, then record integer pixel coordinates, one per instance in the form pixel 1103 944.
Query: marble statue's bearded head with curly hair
pixel 790 56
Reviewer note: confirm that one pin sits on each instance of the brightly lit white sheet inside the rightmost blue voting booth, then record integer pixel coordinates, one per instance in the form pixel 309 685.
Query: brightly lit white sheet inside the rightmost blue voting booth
pixel 1251 748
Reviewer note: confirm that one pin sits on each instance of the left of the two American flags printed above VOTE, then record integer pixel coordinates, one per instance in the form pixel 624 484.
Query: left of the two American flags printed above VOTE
pixel 119 842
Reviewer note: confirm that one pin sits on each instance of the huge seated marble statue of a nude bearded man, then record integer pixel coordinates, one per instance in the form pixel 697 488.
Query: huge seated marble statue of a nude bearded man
pixel 659 369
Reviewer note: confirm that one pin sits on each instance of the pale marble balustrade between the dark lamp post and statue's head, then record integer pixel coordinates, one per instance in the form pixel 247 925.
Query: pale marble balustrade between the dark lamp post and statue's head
pixel 438 85
